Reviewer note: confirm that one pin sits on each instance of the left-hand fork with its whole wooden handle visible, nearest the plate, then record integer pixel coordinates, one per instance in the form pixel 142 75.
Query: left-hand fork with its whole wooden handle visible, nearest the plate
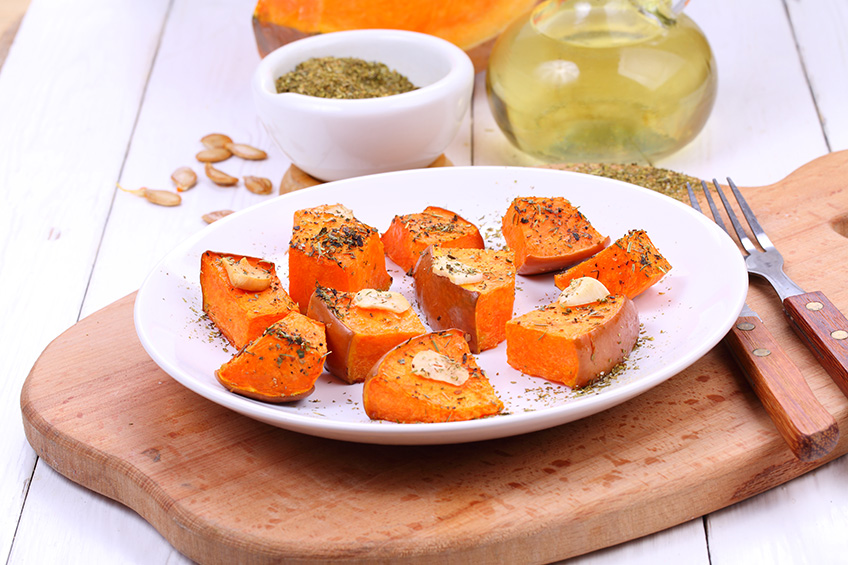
pixel 805 425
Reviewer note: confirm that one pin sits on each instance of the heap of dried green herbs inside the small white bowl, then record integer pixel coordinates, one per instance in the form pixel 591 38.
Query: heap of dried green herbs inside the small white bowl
pixel 343 77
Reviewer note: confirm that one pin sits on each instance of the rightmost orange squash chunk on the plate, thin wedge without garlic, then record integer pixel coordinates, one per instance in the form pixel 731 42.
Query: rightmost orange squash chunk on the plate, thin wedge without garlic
pixel 628 266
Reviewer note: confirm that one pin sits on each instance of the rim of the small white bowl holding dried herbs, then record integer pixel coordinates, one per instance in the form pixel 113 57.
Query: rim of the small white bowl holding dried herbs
pixel 457 60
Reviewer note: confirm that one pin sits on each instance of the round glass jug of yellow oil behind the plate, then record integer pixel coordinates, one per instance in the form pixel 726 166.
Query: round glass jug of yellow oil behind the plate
pixel 614 81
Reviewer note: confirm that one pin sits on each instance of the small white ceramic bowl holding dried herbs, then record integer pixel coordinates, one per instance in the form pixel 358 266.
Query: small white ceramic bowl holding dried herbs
pixel 334 139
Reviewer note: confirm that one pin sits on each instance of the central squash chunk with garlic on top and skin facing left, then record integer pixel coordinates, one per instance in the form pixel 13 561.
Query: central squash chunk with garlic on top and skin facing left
pixel 480 309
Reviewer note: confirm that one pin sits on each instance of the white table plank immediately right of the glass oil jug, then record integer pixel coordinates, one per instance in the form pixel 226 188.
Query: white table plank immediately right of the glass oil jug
pixel 764 125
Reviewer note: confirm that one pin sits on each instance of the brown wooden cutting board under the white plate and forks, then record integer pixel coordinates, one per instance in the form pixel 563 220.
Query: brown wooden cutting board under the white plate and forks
pixel 224 488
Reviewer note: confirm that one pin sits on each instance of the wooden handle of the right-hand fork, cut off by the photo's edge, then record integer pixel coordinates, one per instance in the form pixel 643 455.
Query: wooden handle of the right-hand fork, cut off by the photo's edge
pixel 825 330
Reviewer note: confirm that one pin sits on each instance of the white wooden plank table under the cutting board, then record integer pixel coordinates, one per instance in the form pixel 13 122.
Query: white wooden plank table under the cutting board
pixel 96 92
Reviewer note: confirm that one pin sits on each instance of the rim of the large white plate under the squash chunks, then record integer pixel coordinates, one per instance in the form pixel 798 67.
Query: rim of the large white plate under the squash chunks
pixel 432 433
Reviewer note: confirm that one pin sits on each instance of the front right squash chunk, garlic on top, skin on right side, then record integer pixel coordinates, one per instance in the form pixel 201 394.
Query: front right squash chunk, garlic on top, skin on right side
pixel 573 345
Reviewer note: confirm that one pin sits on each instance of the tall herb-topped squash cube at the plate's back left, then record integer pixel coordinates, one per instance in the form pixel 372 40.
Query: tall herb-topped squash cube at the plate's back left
pixel 331 248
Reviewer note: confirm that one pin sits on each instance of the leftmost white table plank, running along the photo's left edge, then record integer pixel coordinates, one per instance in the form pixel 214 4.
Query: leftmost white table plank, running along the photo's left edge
pixel 58 84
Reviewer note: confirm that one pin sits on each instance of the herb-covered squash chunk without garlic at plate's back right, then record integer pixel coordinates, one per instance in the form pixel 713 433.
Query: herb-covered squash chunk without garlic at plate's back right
pixel 548 234
